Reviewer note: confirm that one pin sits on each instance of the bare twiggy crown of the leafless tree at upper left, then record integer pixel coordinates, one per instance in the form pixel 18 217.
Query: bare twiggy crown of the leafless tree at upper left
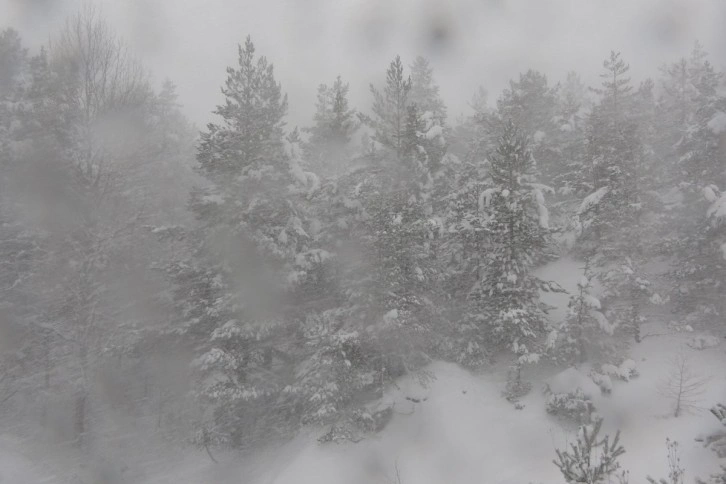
pixel 105 84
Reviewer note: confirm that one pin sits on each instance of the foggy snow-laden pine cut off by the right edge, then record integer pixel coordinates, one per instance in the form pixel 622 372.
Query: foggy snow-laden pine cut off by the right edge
pixel 697 176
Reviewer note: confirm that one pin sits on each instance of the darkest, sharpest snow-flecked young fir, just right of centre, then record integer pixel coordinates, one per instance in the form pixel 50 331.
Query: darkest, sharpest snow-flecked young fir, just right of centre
pixel 506 301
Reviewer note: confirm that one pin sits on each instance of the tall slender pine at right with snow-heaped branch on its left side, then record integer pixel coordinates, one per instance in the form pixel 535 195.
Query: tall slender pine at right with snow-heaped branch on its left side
pixel 608 215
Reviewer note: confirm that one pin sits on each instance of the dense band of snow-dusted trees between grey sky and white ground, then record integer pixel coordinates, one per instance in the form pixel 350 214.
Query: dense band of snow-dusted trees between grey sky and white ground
pixel 238 285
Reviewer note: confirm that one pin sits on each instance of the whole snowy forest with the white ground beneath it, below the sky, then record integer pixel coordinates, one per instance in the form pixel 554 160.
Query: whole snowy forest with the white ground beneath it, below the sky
pixel 241 290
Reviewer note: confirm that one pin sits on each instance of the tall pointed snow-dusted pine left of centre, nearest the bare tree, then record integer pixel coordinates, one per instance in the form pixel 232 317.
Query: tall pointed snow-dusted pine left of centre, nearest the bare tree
pixel 251 250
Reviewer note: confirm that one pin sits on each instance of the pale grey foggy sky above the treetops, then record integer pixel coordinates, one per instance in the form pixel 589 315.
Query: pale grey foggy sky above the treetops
pixel 480 42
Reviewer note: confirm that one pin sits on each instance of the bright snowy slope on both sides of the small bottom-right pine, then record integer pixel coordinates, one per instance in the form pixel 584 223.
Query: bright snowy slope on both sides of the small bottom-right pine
pixel 478 437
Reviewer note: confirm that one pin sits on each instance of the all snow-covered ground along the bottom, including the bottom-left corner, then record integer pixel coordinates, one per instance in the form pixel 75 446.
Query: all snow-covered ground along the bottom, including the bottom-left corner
pixel 461 431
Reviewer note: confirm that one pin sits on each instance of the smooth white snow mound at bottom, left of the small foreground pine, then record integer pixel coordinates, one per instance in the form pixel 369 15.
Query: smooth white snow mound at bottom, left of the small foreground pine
pixel 464 432
